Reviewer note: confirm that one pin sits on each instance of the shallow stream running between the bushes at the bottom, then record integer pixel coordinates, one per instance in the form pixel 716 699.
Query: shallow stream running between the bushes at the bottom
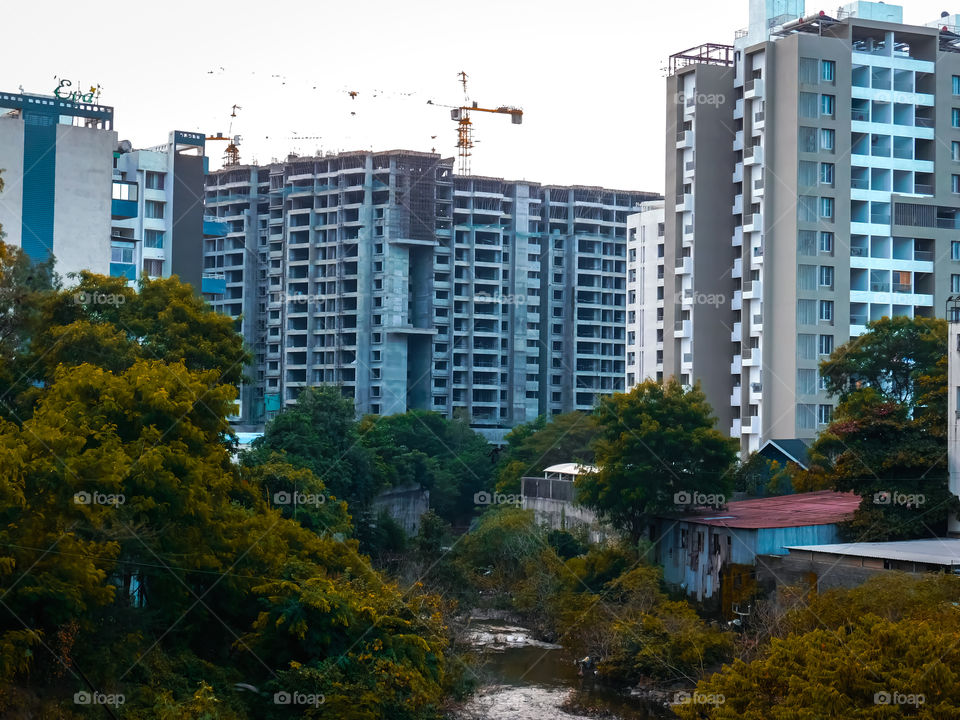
pixel 522 678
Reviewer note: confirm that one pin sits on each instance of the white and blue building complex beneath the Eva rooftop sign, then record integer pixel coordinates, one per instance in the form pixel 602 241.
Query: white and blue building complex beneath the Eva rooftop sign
pixel 73 192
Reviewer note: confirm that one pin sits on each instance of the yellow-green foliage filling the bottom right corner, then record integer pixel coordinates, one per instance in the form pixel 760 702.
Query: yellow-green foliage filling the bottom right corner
pixel 887 649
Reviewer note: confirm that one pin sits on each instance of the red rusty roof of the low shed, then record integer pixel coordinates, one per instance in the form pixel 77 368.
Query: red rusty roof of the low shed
pixel 824 507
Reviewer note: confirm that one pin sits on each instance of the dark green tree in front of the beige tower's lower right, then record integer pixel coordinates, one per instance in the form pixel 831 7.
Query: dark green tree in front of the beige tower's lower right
pixel 888 436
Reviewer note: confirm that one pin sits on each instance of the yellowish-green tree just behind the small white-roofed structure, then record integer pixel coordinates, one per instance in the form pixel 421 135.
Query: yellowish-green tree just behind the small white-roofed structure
pixel 536 445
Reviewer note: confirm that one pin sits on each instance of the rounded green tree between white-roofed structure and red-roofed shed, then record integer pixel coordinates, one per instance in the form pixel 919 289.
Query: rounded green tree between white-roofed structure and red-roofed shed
pixel 654 442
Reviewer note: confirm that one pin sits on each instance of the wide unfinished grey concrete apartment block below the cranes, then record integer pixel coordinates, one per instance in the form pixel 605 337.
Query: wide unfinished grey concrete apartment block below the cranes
pixel 410 287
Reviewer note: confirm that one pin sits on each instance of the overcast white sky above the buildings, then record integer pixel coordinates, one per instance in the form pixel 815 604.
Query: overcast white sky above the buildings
pixel 588 74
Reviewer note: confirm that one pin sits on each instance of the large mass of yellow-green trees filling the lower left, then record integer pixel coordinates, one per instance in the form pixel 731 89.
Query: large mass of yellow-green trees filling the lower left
pixel 137 559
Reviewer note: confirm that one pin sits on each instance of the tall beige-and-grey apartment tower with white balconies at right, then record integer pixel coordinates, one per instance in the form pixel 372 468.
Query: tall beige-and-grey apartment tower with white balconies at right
pixel 840 138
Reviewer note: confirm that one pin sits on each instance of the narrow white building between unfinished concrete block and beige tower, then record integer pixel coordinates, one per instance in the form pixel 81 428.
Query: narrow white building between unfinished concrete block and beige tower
pixel 646 295
